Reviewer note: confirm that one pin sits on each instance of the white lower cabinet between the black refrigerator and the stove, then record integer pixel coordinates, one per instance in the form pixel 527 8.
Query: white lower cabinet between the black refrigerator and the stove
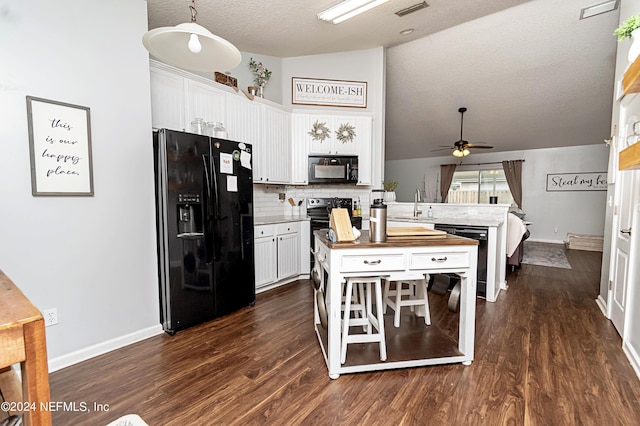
pixel 277 253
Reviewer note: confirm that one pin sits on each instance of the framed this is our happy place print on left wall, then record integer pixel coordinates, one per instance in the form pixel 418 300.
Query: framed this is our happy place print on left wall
pixel 60 148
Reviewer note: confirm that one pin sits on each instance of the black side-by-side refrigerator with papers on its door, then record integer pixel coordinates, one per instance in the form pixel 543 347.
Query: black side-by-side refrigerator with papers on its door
pixel 204 216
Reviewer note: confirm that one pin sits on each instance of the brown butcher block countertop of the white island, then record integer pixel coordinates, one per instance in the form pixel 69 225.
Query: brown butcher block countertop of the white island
pixel 409 241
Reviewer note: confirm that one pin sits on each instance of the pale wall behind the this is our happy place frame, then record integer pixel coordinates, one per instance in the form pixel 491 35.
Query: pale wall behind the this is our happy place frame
pixel 92 258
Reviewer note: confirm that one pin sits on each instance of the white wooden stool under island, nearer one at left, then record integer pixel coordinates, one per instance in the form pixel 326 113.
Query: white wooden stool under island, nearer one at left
pixel 369 321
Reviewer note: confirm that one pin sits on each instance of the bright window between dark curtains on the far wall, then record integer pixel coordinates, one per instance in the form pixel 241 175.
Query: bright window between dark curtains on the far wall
pixel 476 186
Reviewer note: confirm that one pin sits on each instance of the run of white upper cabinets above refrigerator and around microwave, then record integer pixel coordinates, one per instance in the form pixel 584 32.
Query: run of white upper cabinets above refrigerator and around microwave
pixel 281 140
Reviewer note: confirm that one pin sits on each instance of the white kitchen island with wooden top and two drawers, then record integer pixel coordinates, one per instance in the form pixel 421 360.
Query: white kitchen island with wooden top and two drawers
pixel 413 344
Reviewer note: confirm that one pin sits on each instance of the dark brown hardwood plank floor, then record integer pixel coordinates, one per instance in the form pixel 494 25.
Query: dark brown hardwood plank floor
pixel 545 355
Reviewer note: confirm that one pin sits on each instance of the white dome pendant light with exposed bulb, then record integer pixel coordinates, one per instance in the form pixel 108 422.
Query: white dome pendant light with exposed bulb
pixel 192 47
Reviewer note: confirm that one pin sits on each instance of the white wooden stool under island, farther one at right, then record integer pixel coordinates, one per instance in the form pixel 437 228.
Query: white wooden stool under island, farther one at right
pixel 414 287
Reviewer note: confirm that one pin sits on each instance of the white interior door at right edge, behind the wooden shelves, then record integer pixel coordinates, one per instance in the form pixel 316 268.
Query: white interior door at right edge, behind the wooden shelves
pixel 623 216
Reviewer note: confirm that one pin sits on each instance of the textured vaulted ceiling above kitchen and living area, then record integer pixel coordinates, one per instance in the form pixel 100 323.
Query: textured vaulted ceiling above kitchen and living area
pixel 531 74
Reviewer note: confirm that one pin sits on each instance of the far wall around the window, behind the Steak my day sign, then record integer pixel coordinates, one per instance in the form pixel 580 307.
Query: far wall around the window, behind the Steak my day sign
pixel 570 212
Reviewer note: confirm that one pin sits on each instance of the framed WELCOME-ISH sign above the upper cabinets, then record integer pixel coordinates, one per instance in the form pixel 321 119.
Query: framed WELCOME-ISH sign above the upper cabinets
pixel 310 91
